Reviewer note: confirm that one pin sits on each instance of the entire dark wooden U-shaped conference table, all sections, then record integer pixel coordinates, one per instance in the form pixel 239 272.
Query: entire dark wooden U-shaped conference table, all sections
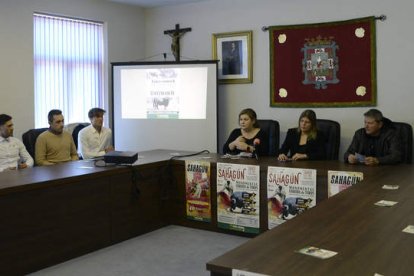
pixel 52 214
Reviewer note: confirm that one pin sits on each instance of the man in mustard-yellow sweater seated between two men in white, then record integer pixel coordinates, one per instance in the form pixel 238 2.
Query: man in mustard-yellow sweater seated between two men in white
pixel 55 145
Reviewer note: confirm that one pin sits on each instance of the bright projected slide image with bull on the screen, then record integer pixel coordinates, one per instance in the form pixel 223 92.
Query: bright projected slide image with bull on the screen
pixel 164 93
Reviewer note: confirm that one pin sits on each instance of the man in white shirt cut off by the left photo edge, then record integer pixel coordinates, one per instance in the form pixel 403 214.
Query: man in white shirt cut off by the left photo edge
pixel 13 154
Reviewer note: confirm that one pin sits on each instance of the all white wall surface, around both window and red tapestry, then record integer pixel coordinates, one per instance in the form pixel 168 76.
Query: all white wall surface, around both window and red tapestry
pixel 135 34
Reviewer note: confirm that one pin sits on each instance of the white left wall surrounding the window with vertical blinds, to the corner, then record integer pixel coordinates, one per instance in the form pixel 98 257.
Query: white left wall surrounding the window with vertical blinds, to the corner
pixel 125 33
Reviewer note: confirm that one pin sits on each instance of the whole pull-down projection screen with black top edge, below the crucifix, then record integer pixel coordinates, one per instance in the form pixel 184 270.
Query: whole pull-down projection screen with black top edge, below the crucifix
pixel 165 105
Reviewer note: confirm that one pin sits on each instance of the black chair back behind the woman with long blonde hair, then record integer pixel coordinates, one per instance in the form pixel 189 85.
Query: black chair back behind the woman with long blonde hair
pixel 332 131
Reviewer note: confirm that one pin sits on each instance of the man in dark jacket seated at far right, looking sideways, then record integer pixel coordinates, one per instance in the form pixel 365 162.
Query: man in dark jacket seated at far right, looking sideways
pixel 377 143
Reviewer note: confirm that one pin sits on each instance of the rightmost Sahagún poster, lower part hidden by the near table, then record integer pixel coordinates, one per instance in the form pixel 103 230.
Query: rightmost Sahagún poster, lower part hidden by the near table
pixel 341 180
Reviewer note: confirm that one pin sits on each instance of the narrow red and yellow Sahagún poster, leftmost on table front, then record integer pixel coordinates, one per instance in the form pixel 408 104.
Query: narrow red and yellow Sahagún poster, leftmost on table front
pixel 197 184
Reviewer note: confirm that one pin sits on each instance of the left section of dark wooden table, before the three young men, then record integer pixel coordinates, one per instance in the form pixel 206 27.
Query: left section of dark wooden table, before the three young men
pixel 51 214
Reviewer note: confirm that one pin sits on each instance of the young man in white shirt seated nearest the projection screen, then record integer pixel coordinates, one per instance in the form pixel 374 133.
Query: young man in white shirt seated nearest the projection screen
pixel 95 140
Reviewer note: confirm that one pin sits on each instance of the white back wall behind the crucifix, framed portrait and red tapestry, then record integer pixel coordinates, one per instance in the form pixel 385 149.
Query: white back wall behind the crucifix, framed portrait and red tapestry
pixel 394 52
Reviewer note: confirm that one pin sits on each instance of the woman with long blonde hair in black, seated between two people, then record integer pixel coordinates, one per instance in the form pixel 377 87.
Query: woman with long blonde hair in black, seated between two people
pixel 305 141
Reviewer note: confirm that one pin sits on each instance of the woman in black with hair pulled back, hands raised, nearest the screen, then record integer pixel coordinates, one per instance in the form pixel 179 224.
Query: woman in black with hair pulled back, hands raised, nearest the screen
pixel 249 137
